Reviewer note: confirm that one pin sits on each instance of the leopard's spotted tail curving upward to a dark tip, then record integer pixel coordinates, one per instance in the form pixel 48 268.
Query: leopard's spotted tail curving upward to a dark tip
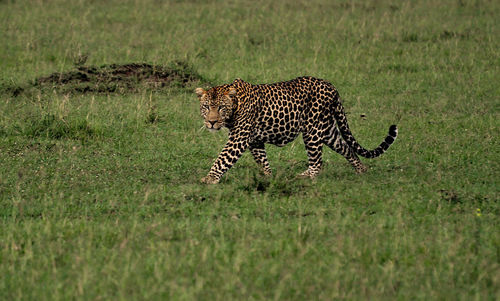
pixel 351 141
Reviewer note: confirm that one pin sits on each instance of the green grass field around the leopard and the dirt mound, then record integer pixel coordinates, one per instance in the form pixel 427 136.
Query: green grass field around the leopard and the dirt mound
pixel 100 196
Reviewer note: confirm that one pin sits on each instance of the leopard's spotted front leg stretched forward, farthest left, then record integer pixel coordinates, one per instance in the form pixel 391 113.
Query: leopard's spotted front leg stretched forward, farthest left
pixel 233 150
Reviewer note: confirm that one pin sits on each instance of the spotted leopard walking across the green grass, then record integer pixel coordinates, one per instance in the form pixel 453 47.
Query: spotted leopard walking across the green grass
pixel 260 114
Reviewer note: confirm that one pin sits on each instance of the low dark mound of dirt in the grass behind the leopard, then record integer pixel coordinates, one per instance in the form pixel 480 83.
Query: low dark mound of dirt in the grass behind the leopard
pixel 117 78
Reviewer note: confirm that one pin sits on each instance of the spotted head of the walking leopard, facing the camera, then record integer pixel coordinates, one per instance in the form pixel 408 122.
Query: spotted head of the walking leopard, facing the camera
pixel 217 106
